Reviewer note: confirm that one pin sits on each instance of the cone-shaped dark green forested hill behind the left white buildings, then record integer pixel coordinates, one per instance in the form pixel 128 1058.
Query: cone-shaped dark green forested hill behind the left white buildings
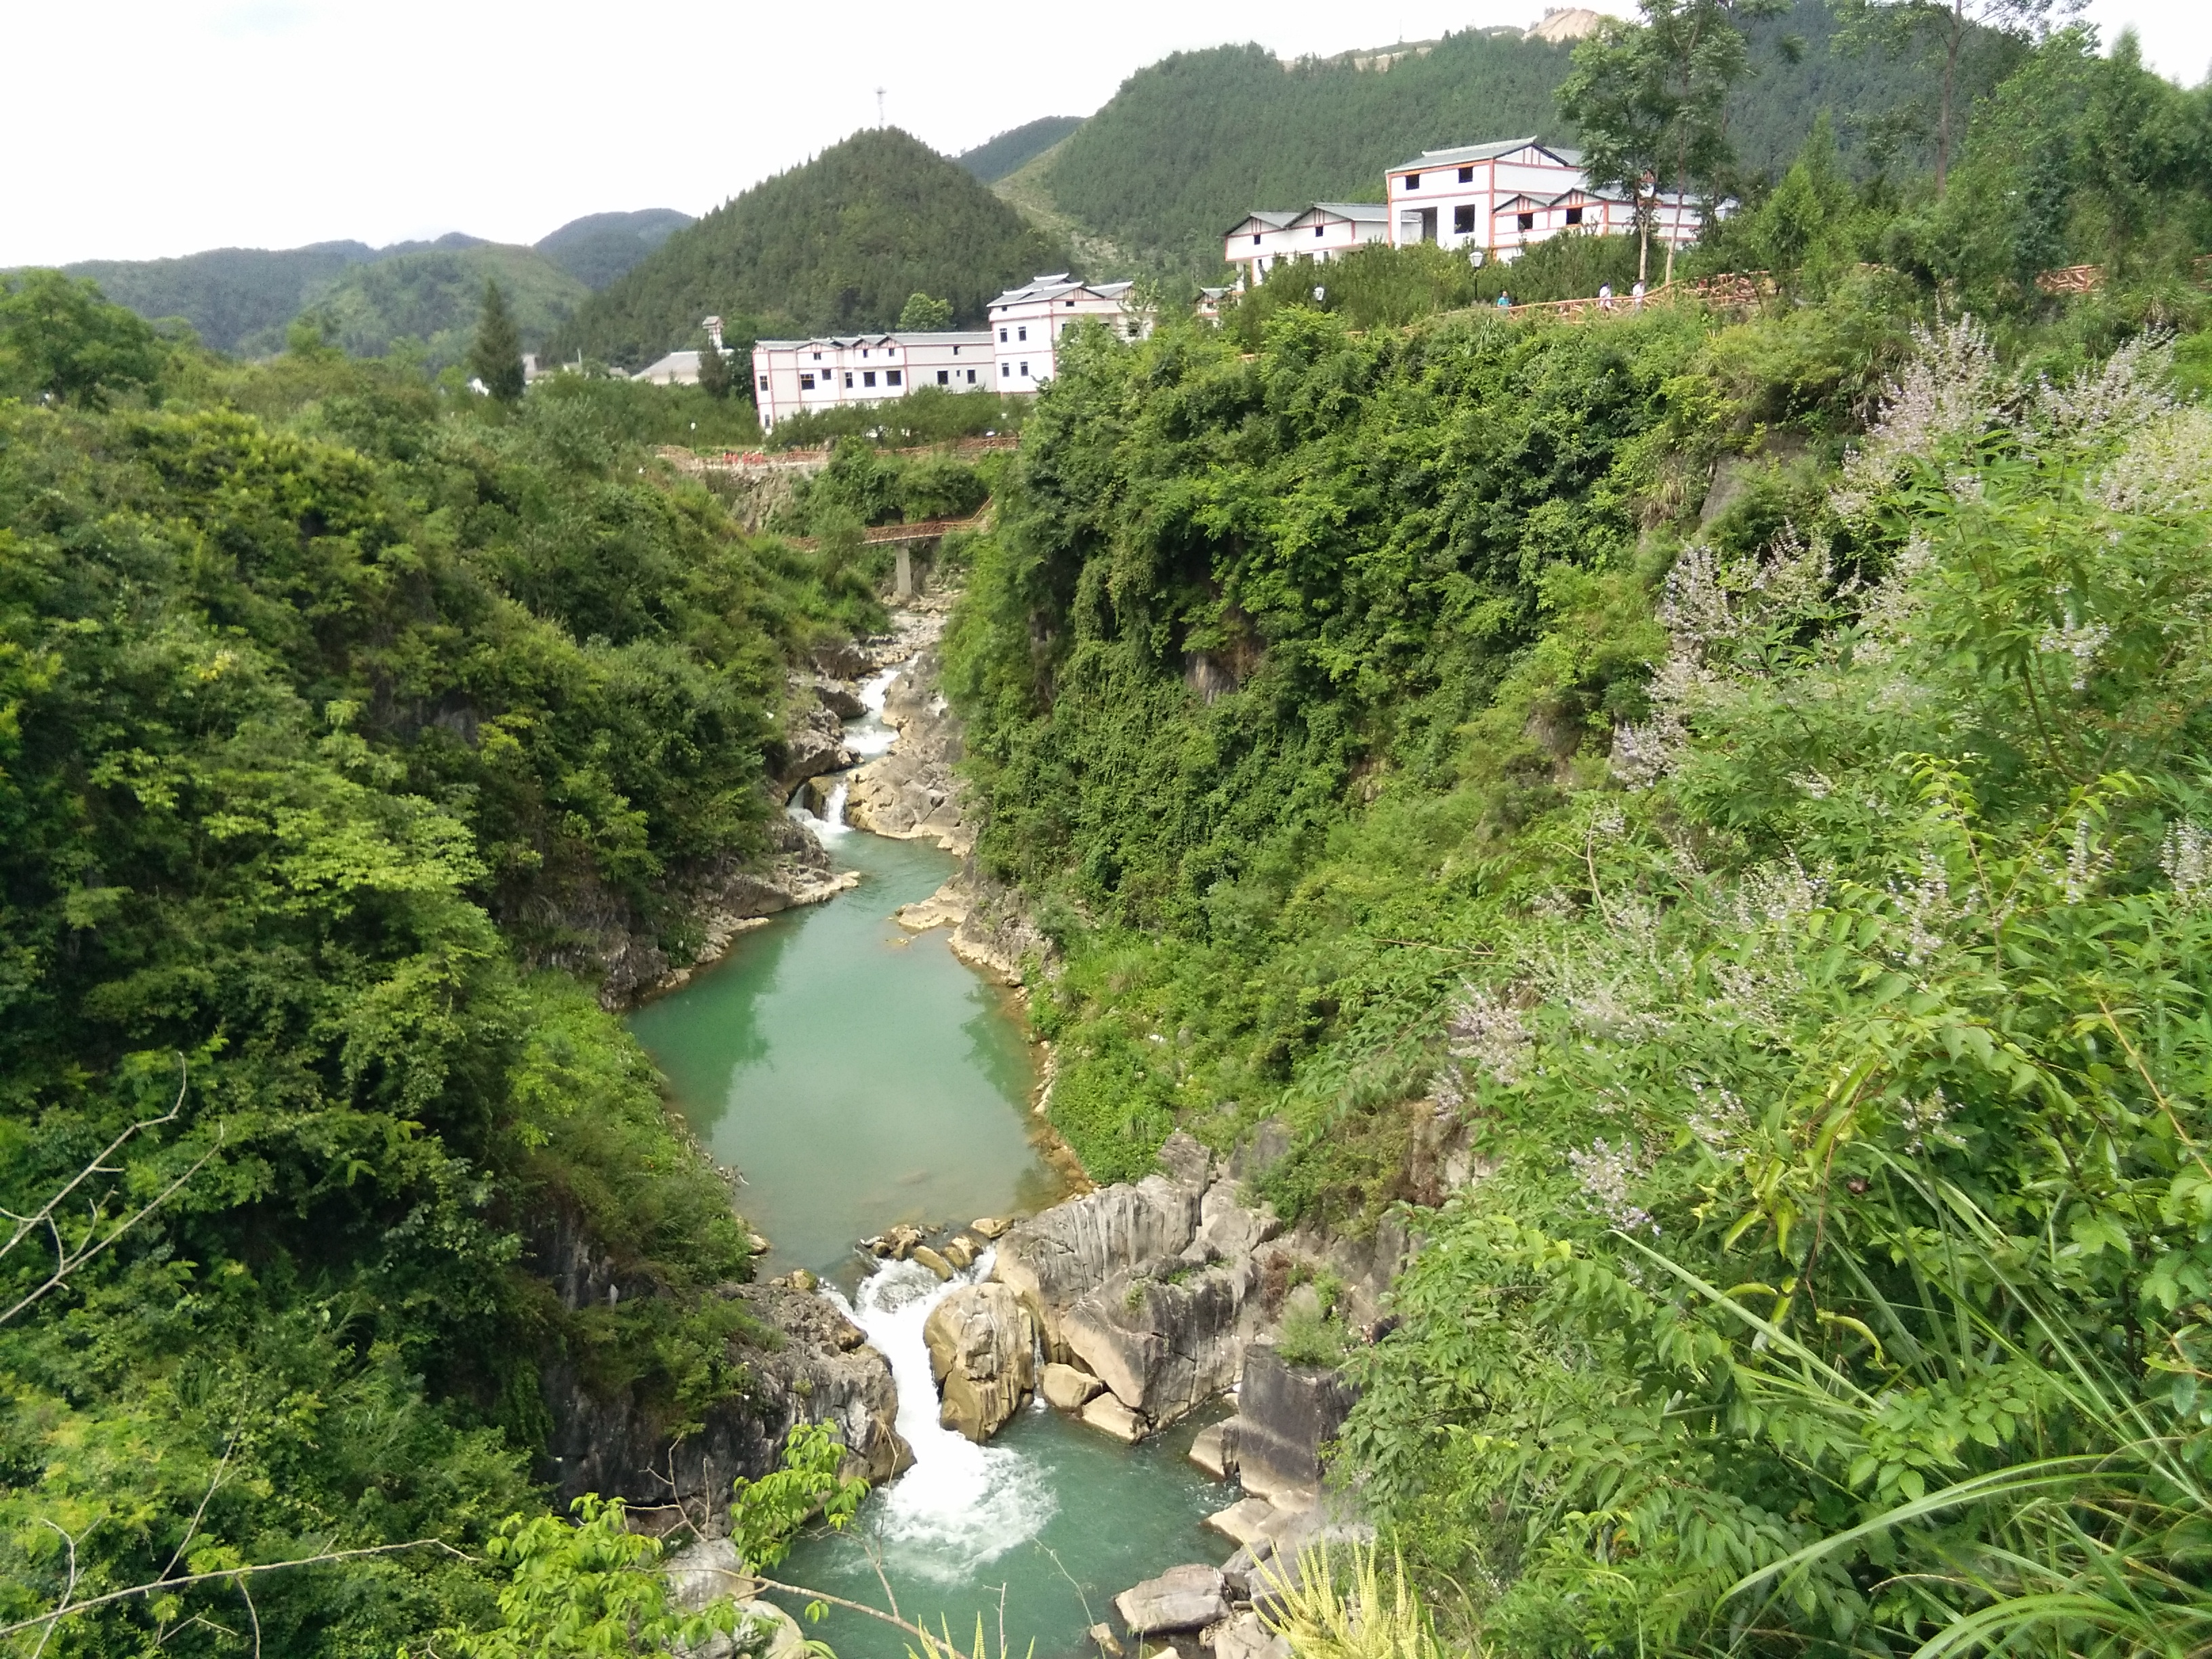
pixel 835 244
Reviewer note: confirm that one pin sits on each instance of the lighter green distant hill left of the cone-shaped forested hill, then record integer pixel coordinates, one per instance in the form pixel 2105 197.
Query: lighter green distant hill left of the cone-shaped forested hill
pixel 435 298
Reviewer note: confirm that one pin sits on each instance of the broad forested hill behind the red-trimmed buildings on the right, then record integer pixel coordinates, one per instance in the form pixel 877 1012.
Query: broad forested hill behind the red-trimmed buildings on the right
pixel 1189 145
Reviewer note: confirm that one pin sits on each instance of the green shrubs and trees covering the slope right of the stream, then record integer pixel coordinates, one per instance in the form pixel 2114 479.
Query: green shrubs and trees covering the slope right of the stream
pixel 1742 778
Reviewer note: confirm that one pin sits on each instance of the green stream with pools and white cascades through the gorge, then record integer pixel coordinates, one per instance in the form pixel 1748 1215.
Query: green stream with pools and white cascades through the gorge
pixel 864 1076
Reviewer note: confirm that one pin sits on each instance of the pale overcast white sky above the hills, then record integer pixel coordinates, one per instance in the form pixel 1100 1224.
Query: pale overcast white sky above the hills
pixel 160 127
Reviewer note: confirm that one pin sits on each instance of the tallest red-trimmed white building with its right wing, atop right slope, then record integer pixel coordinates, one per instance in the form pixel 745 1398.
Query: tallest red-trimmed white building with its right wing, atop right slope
pixel 1496 200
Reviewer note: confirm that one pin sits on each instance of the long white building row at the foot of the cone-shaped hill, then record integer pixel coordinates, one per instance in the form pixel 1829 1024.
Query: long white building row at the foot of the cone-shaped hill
pixel 1019 353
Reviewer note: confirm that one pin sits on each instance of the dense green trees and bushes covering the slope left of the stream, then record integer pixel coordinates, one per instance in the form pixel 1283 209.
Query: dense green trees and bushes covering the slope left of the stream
pixel 335 711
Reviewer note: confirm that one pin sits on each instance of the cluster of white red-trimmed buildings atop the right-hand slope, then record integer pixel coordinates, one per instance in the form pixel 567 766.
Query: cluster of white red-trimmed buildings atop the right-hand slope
pixel 1490 200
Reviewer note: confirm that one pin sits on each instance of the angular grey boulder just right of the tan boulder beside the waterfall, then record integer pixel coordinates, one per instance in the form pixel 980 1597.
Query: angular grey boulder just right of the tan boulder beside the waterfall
pixel 1165 1337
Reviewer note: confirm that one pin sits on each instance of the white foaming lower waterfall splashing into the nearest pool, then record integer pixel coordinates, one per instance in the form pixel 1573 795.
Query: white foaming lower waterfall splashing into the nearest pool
pixel 961 1505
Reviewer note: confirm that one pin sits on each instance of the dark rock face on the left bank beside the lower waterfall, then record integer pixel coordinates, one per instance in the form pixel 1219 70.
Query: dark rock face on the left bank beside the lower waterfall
pixel 620 1443
